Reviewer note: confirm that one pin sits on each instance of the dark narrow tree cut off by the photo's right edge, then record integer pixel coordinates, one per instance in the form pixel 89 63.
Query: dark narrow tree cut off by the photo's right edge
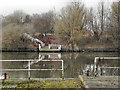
pixel 114 23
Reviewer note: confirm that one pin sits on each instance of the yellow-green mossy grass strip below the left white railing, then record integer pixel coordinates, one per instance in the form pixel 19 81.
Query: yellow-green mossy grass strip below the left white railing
pixel 76 83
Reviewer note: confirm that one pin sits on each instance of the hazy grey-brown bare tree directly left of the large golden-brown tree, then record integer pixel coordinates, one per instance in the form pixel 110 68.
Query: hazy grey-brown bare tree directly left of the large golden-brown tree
pixel 44 23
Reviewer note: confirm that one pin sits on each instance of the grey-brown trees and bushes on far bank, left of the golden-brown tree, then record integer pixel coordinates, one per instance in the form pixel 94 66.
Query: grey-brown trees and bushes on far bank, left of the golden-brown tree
pixel 18 23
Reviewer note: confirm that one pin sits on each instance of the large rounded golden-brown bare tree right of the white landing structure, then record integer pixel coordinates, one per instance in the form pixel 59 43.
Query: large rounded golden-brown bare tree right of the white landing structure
pixel 71 23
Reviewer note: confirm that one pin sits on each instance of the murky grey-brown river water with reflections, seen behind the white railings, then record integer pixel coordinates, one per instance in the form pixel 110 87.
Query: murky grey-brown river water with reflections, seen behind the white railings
pixel 74 64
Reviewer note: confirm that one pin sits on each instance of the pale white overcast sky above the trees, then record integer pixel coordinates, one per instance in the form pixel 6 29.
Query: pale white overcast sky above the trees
pixel 38 6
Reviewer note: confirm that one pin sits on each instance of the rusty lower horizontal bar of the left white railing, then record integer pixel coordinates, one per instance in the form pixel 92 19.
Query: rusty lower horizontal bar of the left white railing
pixel 31 69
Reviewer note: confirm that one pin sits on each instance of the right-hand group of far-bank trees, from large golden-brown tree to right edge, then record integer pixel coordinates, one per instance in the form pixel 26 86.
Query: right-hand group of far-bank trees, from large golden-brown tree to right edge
pixel 78 26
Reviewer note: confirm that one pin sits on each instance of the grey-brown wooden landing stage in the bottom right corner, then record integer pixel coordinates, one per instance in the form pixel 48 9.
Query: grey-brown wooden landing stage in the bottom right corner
pixel 100 82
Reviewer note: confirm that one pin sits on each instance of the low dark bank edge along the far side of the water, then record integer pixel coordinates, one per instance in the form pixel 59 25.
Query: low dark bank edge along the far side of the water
pixel 64 50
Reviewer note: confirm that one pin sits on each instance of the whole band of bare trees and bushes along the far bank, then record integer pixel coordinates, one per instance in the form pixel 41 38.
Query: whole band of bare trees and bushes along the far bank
pixel 75 27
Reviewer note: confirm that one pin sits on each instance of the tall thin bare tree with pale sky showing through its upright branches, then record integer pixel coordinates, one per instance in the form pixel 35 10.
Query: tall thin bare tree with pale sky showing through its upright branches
pixel 98 21
